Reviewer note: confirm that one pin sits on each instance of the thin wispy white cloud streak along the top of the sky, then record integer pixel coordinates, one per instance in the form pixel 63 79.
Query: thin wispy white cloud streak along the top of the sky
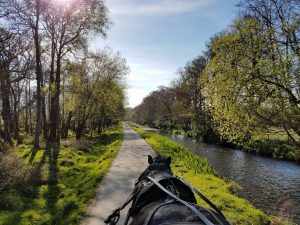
pixel 156 7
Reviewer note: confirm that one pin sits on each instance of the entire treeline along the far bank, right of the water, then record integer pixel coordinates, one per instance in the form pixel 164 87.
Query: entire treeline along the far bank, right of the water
pixel 246 84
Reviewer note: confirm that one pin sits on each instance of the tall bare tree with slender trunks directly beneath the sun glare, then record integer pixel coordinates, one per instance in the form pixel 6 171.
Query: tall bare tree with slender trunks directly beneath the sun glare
pixel 67 29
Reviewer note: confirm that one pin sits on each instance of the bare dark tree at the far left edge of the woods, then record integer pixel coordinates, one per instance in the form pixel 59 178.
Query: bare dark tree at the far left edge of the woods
pixel 15 64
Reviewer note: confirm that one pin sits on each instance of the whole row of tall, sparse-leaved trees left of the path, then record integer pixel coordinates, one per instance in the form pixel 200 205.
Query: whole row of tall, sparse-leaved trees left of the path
pixel 50 80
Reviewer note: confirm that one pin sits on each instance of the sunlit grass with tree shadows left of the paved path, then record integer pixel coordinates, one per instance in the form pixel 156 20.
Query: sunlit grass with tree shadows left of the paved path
pixel 57 191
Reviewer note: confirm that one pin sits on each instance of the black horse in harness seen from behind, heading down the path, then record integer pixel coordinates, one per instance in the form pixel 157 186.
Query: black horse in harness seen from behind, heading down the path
pixel 161 198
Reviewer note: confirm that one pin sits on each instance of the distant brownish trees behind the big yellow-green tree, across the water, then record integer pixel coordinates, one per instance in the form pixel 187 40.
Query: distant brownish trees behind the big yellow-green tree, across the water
pixel 180 106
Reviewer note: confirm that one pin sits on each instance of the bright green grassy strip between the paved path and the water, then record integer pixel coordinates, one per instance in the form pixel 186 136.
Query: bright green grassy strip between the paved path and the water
pixel 203 177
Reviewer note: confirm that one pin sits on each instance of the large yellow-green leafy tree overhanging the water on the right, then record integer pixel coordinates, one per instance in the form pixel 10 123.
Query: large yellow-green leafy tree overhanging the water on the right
pixel 250 83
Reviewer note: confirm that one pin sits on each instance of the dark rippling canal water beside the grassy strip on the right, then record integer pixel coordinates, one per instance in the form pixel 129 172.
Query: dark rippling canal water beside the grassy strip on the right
pixel 269 184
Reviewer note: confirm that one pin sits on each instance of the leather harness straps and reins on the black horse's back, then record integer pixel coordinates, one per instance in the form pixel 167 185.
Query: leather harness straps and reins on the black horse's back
pixel 153 180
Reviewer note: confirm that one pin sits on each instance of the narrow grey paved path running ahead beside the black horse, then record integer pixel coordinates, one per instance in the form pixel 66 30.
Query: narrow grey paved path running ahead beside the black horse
pixel 118 182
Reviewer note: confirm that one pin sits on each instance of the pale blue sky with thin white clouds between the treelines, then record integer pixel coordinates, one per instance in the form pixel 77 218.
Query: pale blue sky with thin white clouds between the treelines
pixel 157 37
